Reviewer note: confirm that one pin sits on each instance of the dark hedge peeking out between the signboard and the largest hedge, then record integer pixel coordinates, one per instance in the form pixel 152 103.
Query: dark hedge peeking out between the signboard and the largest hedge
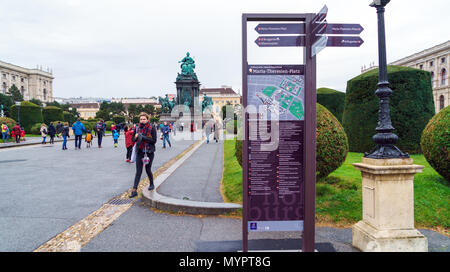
pixel 333 100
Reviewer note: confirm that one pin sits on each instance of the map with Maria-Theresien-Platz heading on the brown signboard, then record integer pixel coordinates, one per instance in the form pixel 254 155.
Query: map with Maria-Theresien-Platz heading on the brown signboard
pixel 279 89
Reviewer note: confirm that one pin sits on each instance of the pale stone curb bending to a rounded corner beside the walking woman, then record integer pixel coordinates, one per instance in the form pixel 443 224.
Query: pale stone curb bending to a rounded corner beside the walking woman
pixel 165 203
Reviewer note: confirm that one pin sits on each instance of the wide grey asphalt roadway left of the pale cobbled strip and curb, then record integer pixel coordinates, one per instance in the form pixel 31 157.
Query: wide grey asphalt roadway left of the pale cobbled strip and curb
pixel 44 190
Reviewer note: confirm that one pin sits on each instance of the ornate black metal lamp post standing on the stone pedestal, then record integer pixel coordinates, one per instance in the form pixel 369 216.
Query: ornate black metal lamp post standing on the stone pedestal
pixel 384 138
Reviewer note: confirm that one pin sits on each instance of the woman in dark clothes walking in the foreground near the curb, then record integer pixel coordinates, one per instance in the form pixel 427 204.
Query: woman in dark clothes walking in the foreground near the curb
pixel 145 138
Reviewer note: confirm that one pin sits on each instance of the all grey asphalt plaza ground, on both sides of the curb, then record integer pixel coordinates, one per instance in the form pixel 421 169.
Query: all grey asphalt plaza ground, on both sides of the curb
pixel 45 190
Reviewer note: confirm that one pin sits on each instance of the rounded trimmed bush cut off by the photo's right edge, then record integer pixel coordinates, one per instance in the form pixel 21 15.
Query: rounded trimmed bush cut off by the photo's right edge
pixel 435 142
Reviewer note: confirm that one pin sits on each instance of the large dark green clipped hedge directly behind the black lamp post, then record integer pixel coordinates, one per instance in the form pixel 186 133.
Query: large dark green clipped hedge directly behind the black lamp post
pixel 411 106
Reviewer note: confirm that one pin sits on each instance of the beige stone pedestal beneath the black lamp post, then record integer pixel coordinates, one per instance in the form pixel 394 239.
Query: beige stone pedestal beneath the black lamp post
pixel 388 207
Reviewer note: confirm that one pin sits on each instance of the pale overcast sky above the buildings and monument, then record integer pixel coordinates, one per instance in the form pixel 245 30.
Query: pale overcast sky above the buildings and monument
pixel 129 48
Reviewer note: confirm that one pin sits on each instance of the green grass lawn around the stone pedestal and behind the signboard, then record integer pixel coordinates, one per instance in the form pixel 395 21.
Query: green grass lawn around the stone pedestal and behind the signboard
pixel 339 198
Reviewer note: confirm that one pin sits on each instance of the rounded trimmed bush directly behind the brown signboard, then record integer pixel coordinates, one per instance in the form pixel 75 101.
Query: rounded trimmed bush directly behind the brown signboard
pixel 331 141
